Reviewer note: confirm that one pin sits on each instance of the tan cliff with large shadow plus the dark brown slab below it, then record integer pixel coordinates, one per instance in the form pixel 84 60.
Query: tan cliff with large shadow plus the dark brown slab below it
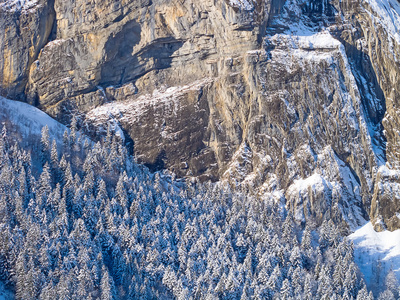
pixel 115 51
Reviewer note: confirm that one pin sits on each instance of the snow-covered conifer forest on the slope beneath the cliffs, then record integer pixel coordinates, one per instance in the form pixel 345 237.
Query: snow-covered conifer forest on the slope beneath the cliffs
pixel 83 221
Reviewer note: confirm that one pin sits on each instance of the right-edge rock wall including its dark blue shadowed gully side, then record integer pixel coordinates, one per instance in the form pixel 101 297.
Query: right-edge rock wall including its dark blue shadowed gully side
pixel 373 44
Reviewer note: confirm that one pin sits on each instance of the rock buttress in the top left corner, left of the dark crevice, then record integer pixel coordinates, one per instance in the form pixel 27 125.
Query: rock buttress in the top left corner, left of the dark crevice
pixel 23 33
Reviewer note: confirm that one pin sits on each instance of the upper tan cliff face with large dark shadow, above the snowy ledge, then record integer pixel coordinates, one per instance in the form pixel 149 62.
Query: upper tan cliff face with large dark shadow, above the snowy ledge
pixel 148 43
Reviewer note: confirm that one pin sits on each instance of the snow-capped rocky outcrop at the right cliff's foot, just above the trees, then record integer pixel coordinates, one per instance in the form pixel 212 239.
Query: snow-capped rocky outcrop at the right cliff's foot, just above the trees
pixel 332 181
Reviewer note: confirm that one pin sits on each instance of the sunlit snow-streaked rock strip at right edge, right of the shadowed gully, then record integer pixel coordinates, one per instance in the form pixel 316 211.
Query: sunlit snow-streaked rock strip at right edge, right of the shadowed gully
pixel 380 44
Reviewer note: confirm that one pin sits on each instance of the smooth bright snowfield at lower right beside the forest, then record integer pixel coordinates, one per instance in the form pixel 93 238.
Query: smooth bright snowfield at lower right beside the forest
pixel 376 253
